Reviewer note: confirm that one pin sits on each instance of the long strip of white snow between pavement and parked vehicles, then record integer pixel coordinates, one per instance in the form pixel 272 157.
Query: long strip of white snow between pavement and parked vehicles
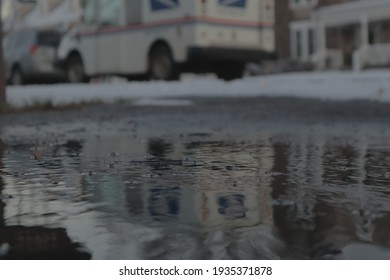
pixel 366 85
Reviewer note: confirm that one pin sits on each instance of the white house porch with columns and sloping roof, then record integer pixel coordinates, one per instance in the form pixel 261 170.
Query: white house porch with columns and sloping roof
pixel 353 35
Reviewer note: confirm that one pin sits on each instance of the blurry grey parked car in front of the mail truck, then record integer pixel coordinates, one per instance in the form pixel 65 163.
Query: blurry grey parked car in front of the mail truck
pixel 31 55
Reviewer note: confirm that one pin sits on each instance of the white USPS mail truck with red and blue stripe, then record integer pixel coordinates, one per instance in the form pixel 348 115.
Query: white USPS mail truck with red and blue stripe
pixel 162 38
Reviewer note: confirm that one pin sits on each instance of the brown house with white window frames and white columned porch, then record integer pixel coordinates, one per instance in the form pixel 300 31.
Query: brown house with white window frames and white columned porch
pixel 334 34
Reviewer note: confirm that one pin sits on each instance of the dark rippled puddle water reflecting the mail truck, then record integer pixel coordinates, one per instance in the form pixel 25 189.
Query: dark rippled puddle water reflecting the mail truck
pixel 305 194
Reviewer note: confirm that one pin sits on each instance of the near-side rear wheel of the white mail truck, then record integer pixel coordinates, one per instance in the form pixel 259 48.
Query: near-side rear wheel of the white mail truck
pixel 161 64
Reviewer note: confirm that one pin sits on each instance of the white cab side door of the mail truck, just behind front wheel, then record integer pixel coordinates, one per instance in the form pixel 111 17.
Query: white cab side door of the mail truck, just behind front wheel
pixel 111 14
